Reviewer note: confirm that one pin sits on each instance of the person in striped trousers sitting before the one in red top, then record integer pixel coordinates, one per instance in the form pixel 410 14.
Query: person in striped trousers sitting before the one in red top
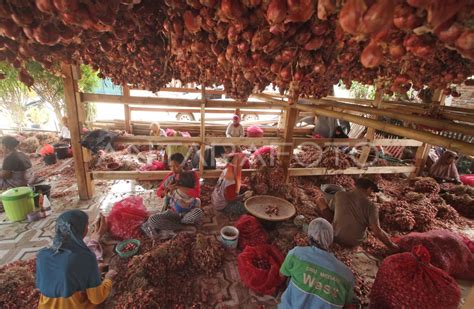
pixel 184 209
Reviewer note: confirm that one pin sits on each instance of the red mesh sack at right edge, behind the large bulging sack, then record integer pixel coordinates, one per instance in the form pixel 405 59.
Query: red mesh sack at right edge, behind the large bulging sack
pixel 448 251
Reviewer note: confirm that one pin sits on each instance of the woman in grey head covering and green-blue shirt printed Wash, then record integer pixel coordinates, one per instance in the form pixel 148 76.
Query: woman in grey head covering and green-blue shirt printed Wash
pixel 317 278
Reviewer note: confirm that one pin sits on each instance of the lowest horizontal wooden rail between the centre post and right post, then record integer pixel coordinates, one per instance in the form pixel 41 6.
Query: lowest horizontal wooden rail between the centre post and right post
pixel 318 171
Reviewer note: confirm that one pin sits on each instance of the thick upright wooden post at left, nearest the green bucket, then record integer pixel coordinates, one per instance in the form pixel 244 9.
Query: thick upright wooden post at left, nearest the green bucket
pixel 73 110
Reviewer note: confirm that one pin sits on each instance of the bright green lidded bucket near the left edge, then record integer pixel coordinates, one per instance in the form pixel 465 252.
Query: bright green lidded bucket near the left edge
pixel 18 202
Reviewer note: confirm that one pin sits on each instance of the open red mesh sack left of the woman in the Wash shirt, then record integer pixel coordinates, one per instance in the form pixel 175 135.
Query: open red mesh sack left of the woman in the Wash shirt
pixel 259 268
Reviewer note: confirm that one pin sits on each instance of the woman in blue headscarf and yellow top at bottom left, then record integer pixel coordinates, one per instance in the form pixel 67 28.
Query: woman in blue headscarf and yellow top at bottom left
pixel 67 273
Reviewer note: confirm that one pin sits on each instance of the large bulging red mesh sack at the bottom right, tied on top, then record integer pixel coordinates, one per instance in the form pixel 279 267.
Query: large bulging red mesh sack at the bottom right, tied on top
pixel 408 280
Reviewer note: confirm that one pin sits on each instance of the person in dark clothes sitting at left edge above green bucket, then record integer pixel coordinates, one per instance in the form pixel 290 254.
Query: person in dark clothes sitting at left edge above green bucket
pixel 16 168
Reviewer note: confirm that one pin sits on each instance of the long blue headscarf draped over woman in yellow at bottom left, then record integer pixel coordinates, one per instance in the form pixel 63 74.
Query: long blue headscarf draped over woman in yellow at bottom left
pixel 68 266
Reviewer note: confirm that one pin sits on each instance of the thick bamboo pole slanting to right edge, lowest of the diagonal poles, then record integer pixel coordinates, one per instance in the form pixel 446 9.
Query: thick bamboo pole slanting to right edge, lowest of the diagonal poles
pixel 462 147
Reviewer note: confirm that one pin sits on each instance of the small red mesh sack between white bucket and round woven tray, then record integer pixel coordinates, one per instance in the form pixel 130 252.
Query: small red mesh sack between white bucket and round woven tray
pixel 251 232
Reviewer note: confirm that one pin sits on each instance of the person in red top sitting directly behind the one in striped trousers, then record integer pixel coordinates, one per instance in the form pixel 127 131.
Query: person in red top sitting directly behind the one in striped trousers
pixel 168 184
